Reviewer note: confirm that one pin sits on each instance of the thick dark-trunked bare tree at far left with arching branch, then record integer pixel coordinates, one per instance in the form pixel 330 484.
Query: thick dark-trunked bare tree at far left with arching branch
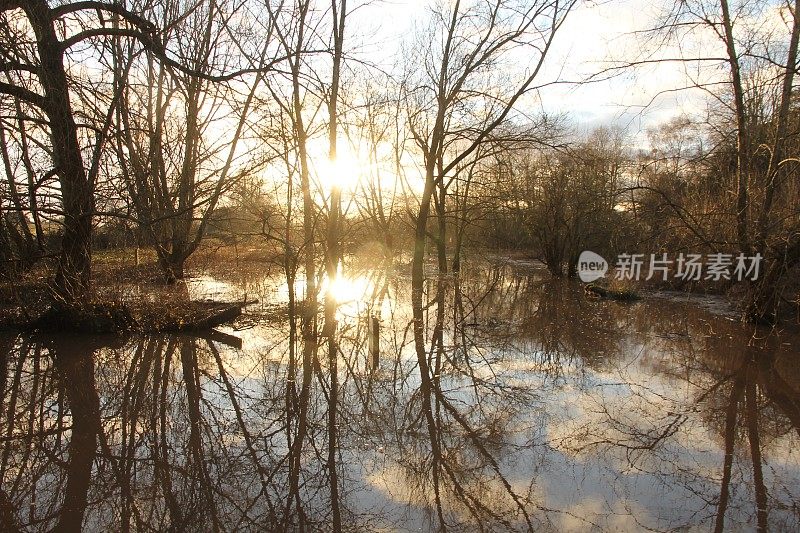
pixel 39 78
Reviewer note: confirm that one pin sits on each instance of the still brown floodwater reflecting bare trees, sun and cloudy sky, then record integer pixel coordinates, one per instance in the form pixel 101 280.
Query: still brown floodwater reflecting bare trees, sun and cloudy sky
pixel 533 408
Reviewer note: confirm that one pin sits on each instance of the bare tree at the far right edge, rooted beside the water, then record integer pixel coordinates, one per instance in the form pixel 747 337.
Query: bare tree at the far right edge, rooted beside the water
pixel 754 63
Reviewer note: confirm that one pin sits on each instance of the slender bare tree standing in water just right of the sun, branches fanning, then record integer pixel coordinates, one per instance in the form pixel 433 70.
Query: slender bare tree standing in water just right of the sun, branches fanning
pixel 455 105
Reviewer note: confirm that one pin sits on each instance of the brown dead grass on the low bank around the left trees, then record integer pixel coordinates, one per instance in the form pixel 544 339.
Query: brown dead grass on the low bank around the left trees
pixel 28 303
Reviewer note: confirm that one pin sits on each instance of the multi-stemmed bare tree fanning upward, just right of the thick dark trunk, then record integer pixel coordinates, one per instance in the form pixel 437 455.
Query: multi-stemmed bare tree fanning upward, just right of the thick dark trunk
pixel 180 135
